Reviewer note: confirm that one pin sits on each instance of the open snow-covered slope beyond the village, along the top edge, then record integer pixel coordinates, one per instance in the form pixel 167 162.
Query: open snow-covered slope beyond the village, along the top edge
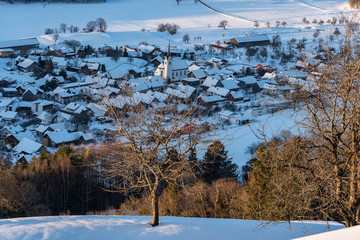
pixel 24 20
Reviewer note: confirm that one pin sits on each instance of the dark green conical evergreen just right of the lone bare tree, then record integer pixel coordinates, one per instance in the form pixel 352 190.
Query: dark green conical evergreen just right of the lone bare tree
pixel 216 164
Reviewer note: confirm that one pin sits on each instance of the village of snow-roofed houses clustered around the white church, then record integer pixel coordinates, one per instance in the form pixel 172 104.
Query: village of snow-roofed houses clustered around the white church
pixel 53 95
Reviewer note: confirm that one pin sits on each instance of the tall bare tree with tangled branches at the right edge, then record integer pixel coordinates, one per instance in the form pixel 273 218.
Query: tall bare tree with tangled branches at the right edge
pixel 330 99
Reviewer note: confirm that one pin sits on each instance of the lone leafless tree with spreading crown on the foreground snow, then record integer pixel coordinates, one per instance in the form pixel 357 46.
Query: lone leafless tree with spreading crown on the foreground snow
pixel 155 144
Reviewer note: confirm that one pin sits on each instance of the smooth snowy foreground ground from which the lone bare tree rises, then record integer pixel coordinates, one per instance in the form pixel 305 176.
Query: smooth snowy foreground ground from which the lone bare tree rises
pixel 134 227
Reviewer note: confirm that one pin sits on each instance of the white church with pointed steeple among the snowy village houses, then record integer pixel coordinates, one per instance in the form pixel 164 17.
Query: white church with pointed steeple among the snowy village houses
pixel 172 69
